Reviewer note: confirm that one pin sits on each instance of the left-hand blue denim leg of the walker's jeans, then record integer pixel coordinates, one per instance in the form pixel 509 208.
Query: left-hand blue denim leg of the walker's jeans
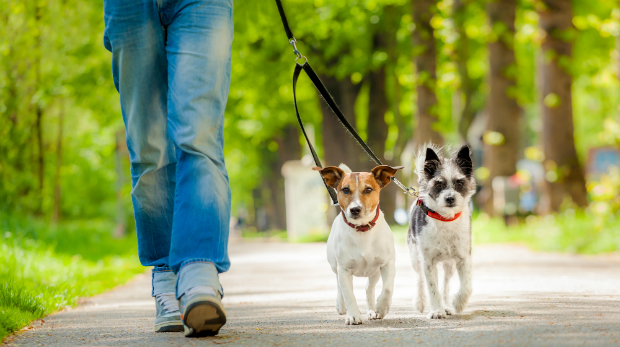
pixel 134 35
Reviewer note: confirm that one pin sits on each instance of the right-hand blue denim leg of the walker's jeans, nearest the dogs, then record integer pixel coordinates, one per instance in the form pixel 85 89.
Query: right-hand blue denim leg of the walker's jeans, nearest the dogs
pixel 198 48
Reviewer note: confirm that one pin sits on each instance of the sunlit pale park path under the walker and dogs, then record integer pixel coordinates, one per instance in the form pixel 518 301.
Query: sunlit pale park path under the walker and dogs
pixel 280 294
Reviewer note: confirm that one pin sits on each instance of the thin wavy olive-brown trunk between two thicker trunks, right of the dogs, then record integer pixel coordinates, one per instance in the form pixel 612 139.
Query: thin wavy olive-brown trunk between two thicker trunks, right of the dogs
pixel 468 85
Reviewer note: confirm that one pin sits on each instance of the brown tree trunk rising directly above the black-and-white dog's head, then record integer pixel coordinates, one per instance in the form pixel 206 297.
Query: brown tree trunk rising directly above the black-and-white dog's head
pixel 425 59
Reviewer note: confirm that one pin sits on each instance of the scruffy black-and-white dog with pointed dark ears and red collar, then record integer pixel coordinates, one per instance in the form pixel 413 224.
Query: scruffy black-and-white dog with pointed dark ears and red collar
pixel 440 227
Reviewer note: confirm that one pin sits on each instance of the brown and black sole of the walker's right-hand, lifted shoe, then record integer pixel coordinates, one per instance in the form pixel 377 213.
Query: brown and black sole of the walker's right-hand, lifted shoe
pixel 203 318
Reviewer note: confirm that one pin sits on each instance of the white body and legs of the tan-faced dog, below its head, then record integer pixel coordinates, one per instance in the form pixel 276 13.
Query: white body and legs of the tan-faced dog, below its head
pixel 362 254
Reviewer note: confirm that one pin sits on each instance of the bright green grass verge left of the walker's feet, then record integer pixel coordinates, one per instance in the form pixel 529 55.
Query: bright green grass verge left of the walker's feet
pixel 44 268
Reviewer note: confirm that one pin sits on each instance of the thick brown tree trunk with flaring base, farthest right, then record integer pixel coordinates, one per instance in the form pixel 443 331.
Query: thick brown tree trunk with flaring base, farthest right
pixel 564 173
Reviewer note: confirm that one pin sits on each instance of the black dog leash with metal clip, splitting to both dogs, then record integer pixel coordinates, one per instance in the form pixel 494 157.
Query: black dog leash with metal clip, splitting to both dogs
pixel 305 66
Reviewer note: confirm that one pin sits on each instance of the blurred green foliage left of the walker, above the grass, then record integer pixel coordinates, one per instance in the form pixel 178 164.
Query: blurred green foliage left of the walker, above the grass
pixel 52 62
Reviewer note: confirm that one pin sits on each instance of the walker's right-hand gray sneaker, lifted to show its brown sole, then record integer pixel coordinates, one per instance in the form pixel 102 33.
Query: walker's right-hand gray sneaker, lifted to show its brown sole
pixel 202 312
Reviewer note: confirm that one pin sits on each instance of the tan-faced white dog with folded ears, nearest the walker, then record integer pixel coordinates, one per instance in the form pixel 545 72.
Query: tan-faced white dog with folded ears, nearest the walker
pixel 361 243
